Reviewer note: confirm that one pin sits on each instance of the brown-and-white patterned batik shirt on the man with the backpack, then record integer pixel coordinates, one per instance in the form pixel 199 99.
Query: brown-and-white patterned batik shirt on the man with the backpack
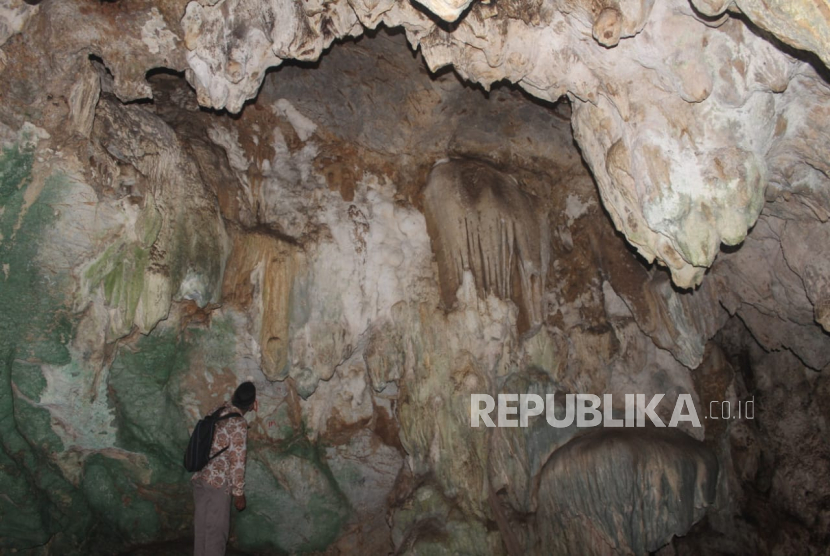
pixel 227 470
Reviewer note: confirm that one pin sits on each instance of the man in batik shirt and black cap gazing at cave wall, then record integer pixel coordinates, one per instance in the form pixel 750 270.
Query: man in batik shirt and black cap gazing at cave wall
pixel 224 475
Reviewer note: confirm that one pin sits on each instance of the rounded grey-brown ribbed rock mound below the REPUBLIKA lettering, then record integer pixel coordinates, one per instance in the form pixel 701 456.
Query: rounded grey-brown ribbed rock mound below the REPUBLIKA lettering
pixel 627 491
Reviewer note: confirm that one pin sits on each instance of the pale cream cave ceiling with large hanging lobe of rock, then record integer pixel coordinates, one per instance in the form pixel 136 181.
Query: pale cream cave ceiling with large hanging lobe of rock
pixel 691 116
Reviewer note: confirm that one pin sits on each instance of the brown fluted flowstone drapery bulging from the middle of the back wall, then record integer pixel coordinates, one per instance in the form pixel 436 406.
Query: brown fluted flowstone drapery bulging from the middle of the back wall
pixel 483 223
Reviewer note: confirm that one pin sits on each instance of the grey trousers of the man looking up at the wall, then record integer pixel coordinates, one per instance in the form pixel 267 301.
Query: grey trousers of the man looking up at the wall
pixel 212 520
